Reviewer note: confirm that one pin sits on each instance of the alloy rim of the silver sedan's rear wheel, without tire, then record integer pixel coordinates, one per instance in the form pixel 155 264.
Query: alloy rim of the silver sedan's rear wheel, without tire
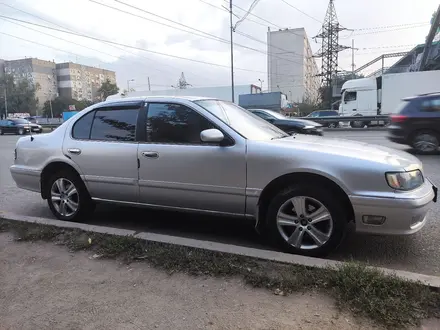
pixel 64 197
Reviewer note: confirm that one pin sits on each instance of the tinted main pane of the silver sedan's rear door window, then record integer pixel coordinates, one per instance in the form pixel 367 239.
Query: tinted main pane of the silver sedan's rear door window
pixel 114 125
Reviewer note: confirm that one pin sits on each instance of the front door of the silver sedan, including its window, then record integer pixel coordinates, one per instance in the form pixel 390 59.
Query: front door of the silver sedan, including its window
pixel 177 170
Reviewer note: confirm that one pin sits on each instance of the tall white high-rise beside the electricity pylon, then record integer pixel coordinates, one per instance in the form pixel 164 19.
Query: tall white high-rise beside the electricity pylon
pixel 291 66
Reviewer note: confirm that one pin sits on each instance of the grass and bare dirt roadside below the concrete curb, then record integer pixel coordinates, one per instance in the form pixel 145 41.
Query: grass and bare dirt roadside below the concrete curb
pixel 44 271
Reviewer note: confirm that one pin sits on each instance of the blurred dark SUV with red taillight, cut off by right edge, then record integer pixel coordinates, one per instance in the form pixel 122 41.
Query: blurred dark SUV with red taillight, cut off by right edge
pixel 417 123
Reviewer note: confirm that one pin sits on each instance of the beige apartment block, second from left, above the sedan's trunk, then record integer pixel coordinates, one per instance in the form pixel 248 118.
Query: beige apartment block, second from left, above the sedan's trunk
pixel 81 82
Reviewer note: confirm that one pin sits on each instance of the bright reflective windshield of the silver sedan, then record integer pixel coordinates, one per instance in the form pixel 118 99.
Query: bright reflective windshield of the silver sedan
pixel 242 121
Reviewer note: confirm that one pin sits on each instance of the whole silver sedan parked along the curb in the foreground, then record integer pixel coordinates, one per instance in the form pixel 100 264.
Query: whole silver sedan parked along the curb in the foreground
pixel 213 157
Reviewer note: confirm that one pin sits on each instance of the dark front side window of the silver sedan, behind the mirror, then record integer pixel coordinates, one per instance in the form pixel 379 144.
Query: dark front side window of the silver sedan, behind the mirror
pixel 175 123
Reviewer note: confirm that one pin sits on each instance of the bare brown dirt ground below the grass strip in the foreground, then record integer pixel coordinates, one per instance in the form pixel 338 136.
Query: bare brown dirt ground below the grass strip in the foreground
pixel 44 286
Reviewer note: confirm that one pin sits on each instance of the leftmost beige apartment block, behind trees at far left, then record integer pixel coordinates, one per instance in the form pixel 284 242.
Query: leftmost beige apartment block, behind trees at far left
pixel 40 73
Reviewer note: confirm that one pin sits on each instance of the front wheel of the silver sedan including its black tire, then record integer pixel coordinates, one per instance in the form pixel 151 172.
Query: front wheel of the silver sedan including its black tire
pixel 333 229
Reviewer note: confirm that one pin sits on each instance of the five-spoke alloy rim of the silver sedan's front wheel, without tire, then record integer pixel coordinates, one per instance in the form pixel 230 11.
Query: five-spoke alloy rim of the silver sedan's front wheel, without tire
pixel 304 223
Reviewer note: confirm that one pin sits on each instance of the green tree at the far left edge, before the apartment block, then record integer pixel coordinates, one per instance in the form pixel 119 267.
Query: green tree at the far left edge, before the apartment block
pixel 20 95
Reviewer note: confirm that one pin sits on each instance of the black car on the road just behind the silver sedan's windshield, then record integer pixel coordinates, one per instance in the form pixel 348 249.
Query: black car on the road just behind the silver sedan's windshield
pixel 289 125
